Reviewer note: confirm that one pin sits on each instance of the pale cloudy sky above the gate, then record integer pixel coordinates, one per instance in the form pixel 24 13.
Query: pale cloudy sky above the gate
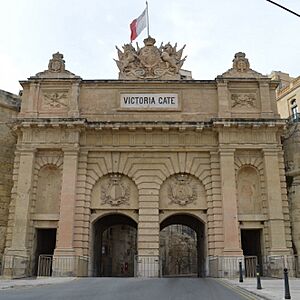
pixel 86 33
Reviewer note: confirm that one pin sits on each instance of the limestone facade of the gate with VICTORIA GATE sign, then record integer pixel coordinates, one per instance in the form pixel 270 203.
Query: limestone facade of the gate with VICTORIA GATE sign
pixel 215 157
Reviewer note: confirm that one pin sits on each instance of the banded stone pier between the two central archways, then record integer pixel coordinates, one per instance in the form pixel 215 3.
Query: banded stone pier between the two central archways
pixel 148 231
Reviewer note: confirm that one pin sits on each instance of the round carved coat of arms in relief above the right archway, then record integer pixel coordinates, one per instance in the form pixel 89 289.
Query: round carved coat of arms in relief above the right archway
pixel 181 190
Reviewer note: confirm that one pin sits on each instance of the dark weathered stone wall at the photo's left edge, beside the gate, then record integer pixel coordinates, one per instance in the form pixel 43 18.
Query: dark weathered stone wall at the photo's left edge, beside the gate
pixel 9 107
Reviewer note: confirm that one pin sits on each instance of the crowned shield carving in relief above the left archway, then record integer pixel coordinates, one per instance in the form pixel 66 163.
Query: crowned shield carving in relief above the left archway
pixel 115 192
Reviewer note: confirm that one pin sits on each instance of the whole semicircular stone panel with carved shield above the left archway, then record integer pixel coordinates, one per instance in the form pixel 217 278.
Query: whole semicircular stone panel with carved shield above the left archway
pixel 114 191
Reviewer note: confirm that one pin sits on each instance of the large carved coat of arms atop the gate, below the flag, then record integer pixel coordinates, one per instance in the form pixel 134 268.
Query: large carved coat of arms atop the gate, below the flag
pixel 150 62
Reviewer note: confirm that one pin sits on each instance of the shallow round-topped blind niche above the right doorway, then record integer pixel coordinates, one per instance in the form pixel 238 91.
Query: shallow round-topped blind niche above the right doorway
pixel 248 189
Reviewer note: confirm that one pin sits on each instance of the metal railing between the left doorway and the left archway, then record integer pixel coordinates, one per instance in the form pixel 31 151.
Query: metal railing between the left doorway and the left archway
pixel 62 266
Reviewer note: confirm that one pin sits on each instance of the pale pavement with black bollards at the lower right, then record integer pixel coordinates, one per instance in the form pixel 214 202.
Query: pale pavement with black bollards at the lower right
pixel 272 289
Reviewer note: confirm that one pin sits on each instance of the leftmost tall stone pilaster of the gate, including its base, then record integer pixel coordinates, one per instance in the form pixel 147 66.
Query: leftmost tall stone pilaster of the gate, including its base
pixel 17 255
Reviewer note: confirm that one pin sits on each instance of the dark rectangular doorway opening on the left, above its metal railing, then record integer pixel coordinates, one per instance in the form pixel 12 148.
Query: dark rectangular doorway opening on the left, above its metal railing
pixel 45 244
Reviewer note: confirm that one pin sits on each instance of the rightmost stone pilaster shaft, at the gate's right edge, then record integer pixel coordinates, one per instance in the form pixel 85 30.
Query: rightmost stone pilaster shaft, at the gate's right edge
pixel 277 238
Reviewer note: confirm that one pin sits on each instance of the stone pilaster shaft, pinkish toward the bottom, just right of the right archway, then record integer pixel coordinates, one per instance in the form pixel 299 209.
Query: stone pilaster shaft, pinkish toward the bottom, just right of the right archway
pixel 229 202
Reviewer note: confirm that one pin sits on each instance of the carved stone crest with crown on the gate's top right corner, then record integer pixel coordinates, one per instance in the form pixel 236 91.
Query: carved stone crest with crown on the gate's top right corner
pixel 241 68
